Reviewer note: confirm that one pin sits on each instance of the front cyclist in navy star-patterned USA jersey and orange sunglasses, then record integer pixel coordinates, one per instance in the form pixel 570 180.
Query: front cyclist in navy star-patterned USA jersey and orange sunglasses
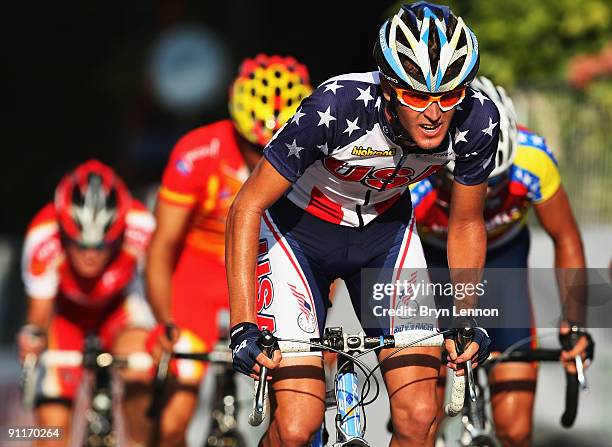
pixel 329 199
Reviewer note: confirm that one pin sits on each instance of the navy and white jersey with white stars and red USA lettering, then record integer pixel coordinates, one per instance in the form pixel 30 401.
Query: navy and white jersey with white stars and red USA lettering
pixel 340 154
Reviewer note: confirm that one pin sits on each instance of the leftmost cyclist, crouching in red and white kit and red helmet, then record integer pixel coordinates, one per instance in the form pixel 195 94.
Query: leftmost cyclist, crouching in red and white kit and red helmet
pixel 80 262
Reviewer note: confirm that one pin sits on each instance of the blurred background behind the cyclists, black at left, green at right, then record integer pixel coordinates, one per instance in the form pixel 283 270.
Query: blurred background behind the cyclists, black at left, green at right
pixel 121 81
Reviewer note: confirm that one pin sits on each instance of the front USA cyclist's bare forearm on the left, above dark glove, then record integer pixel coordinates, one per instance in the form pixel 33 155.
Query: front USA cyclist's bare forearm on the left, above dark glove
pixel 242 236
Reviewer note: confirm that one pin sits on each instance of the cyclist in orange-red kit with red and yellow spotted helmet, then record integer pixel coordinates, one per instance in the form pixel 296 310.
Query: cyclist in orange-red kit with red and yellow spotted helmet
pixel 185 271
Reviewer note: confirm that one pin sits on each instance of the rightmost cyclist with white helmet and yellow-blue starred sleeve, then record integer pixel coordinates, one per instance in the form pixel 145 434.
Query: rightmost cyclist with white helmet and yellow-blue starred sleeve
pixel 525 175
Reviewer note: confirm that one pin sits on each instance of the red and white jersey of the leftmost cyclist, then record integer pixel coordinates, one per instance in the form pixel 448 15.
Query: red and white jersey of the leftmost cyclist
pixel 47 273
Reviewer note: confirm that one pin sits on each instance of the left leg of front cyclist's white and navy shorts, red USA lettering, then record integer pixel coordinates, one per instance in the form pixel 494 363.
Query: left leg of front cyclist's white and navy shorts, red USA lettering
pixel 293 289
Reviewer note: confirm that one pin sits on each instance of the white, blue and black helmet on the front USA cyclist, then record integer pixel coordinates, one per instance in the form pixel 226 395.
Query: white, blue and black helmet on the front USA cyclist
pixel 427 48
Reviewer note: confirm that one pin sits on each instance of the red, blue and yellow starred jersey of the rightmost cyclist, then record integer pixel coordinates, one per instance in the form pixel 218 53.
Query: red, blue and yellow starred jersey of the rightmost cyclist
pixel 533 178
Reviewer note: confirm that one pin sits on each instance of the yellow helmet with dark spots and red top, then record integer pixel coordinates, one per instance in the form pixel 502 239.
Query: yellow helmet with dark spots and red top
pixel 266 93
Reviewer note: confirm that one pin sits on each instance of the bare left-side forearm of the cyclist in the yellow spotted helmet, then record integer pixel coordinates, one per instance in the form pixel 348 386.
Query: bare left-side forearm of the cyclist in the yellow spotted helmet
pixel 159 270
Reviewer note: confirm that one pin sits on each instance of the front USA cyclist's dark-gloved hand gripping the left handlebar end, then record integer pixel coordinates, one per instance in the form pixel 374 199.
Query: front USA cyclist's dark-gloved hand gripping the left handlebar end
pixel 246 352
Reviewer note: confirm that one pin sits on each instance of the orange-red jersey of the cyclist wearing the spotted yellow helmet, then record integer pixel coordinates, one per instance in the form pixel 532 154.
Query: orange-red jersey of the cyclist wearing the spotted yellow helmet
pixel 204 173
